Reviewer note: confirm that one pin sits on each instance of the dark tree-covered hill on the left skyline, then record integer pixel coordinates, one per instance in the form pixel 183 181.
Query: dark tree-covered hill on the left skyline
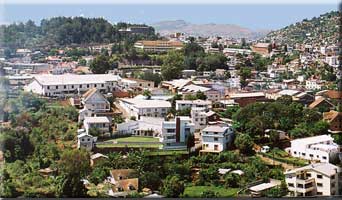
pixel 66 31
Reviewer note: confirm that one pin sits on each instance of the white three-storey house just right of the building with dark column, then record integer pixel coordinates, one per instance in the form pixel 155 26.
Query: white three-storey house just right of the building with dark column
pixel 216 138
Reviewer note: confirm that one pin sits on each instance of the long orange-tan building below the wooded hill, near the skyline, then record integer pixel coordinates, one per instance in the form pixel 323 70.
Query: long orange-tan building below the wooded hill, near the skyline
pixel 158 45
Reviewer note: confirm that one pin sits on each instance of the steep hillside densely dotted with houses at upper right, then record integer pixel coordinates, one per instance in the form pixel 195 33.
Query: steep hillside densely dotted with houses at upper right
pixel 318 30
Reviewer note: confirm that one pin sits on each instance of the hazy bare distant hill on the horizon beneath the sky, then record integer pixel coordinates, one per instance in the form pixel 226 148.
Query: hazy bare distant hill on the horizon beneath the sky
pixel 204 30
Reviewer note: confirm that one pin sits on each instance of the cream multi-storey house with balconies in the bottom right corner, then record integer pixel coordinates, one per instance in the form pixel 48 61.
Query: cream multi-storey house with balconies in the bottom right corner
pixel 322 179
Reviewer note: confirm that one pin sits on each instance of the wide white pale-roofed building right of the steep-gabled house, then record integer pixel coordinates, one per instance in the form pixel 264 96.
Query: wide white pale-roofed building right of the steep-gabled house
pixel 143 107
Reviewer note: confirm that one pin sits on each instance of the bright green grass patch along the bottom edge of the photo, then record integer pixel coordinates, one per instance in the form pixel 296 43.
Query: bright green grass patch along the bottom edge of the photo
pixel 196 191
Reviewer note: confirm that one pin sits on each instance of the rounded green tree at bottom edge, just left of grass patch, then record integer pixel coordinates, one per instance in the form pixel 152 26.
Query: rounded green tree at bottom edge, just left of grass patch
pixel 172 186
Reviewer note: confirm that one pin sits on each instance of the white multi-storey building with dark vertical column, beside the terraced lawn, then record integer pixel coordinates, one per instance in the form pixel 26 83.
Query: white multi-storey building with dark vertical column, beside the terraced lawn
pixel 175 133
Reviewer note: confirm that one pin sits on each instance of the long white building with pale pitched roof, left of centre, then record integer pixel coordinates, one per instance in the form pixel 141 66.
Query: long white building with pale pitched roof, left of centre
pixel 71 84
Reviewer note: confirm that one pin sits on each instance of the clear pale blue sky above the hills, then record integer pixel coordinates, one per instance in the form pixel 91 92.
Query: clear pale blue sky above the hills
pixel 259 15
